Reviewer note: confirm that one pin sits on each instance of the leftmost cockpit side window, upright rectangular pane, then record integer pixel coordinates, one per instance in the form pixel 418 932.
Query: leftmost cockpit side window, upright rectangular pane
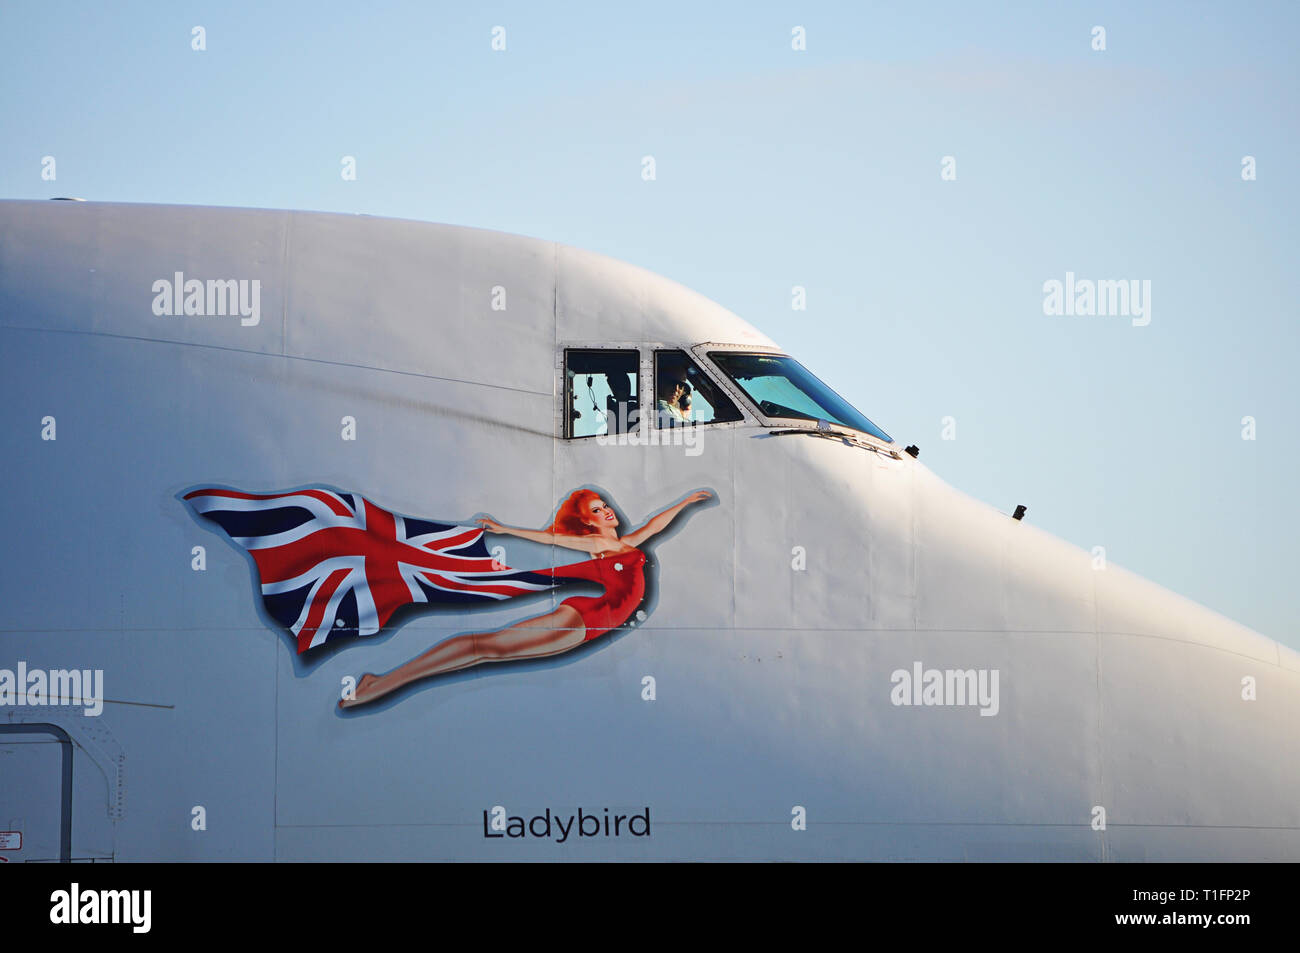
pixel 601 392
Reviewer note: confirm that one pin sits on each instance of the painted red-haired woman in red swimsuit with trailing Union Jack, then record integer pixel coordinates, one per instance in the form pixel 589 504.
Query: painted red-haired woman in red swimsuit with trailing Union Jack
pixel 333 565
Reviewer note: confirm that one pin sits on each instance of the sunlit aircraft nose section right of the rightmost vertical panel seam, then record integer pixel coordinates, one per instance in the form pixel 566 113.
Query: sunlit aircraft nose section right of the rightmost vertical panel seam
pixel 1198 729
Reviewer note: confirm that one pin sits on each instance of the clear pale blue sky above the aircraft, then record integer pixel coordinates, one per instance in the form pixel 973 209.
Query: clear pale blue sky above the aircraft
pixel 817 168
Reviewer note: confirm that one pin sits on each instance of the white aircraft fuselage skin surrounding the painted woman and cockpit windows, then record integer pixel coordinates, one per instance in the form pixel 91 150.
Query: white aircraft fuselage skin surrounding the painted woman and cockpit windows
pixel 778 617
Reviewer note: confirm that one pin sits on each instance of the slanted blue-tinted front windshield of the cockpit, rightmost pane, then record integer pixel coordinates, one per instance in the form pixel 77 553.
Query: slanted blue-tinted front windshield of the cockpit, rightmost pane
pixel 783 388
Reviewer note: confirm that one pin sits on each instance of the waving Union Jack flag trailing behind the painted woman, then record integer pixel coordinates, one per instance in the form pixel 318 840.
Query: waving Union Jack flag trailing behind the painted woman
pixel 335 565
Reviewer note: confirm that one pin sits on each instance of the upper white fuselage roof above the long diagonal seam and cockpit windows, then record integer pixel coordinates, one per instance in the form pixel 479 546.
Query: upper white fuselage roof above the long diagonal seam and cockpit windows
pixel 343 274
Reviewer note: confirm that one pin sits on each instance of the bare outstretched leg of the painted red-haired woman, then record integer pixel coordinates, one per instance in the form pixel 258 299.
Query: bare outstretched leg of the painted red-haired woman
pixel 538 638
